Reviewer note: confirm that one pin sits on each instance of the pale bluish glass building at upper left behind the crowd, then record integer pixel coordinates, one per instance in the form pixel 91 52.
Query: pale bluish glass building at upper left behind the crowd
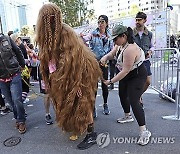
pixel 14 14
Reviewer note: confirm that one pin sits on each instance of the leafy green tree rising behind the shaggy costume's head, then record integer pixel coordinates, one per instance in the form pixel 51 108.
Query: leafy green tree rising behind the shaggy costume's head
pixel 75 12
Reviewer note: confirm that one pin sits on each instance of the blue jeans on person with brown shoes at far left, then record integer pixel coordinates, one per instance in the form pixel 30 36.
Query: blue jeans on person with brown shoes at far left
pixel 12 91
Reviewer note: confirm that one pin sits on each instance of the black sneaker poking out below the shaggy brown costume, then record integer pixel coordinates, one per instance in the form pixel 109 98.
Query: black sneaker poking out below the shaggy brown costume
pixel 88 141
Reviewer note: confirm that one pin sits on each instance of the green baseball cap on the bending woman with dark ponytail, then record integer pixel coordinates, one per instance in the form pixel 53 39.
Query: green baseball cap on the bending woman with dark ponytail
pixel 118 29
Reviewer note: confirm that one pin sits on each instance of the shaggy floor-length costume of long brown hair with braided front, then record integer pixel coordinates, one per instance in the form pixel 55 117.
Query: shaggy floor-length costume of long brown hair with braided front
pixel 76 68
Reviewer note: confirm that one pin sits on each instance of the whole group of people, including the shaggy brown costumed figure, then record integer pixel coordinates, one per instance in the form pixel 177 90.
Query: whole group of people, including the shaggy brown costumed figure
pixel 70 71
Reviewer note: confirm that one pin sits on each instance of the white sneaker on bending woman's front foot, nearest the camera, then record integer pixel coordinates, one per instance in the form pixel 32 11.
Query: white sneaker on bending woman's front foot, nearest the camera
pixel 144 137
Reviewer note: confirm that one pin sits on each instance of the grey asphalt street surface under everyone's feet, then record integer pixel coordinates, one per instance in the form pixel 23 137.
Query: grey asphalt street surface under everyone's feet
pixel 44 139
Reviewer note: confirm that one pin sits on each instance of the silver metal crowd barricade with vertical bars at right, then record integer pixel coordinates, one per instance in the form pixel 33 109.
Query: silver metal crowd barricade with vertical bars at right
pixel 165 66
